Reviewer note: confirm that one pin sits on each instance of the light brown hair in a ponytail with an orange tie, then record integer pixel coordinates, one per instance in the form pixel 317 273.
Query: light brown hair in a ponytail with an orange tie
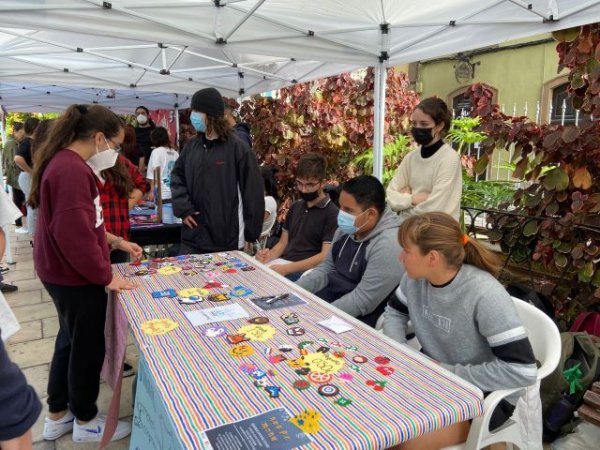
pixel 440 232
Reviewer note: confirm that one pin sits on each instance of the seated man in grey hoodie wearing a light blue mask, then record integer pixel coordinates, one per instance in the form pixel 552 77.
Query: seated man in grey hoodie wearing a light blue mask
pixel 361 269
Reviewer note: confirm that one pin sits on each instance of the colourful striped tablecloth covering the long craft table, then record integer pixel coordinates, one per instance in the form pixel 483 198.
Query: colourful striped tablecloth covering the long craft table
pixel 202 385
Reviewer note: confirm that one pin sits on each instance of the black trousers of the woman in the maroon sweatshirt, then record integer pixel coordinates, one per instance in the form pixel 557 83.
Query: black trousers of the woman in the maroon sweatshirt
pixel 74 379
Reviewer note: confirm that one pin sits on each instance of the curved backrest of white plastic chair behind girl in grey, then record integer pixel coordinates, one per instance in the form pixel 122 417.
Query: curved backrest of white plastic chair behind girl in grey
pixel 543 336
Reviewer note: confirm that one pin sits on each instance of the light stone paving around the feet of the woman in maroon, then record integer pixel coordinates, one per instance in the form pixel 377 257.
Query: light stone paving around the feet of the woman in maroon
pixel 32 347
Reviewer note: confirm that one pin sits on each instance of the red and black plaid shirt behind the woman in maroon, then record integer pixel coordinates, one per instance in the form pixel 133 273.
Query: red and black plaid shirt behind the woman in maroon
pixel 116 209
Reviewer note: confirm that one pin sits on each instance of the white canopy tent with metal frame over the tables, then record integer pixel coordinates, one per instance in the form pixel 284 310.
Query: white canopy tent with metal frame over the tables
pixel 122 53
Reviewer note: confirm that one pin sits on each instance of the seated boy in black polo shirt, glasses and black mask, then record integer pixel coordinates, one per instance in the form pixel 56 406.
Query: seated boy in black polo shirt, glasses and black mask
pixel 310 224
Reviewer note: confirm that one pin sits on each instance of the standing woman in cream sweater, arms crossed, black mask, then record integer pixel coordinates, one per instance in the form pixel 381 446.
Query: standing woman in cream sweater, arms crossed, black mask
pixel 430 177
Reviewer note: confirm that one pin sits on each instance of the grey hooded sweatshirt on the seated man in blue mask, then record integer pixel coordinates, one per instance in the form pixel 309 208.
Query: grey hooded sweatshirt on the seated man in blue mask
pixel 358 275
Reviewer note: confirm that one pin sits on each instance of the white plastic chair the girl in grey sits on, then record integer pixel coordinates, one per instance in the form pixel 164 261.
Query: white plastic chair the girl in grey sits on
pixel 545 341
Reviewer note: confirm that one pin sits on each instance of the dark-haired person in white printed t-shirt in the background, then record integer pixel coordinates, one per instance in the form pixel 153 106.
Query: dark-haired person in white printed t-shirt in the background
pixel 164 157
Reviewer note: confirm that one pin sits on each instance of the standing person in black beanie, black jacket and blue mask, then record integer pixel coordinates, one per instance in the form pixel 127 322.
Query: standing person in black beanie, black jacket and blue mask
pixel 216 185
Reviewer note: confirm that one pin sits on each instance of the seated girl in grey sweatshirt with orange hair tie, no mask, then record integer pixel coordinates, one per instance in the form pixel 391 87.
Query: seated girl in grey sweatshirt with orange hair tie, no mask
pixel 462 316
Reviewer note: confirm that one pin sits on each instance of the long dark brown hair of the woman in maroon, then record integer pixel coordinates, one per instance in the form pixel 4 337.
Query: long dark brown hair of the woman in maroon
pixel 77 122
